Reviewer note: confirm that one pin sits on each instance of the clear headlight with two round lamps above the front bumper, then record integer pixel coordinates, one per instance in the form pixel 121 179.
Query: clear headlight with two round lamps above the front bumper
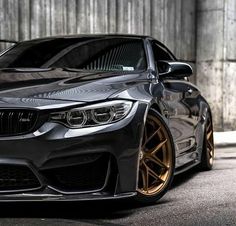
pixel 93 115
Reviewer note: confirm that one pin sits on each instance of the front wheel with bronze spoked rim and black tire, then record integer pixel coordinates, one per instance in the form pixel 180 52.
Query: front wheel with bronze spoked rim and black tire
pixel 156 160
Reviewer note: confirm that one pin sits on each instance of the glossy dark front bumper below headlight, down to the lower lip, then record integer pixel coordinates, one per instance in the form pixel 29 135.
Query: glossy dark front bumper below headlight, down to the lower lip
pixel 55 147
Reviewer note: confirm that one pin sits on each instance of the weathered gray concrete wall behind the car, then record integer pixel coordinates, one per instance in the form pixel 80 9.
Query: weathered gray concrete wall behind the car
pixel 192 29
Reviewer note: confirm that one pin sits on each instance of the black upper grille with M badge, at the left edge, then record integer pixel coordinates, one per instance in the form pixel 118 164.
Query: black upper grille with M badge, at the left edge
pixel 16 121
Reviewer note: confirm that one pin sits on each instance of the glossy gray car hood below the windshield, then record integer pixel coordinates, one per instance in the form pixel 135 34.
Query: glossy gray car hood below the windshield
pixel 57 85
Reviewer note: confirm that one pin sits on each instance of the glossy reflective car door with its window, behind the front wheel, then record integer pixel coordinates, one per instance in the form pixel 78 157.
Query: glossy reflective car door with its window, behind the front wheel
pixel 179 101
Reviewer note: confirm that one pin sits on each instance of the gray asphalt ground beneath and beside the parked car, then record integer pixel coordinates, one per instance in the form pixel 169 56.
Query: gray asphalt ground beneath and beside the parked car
pixel 196 198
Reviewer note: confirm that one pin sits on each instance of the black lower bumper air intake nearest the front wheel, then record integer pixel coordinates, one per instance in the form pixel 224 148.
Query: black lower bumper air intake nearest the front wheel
pixel 78 178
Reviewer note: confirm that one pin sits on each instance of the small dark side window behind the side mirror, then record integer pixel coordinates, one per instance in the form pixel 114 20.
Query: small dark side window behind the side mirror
pixel 160 53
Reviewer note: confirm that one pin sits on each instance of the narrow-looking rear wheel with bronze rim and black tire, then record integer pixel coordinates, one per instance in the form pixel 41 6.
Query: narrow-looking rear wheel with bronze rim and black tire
pixel 207 147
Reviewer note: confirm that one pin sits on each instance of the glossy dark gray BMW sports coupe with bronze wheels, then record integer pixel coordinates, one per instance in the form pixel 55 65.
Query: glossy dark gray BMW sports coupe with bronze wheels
pixel 98 117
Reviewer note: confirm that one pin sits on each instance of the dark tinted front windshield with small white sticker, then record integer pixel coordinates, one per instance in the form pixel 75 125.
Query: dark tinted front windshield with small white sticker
pixel 99 54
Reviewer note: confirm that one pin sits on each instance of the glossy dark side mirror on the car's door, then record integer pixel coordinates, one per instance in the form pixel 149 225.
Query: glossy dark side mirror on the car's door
pixel 174 69
